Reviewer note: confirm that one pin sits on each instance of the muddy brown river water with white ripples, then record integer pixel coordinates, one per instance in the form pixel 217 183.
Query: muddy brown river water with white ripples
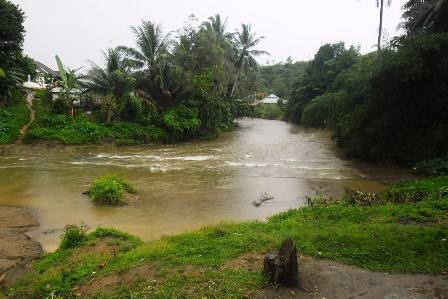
pixel 184 186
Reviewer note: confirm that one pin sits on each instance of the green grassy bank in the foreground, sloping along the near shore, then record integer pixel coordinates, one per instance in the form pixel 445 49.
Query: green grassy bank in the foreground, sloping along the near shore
pixel 402 230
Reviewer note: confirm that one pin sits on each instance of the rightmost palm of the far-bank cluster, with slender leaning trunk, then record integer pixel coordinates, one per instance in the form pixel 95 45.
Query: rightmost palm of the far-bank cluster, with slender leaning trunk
pixel 244 41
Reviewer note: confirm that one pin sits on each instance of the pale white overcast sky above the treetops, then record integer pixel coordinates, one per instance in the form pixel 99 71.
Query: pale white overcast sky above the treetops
pixel 78 30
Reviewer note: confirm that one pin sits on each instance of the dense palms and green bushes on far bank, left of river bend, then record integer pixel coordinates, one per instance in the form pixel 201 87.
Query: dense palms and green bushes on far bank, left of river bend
pixel 163 89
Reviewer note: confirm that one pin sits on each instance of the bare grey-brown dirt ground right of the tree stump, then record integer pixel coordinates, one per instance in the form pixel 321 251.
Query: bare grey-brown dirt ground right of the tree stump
pixel 319 278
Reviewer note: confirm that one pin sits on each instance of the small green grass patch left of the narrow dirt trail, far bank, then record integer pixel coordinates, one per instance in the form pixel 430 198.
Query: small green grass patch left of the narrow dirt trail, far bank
pixel 12 119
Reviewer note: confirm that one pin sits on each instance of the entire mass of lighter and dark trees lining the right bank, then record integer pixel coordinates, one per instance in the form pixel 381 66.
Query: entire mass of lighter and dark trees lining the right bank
pixel 389 106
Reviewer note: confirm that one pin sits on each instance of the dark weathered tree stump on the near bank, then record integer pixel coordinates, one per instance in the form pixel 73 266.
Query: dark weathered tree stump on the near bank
pixel 282 266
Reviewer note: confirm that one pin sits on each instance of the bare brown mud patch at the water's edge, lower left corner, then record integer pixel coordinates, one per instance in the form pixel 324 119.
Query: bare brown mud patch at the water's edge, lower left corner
pixel 17 250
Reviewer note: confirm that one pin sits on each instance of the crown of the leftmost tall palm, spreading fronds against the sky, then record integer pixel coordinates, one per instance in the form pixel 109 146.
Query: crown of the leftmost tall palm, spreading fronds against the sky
pixel 151 43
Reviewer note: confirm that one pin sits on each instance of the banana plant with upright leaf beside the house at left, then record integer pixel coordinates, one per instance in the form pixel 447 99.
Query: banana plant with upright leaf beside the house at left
pixel 70 81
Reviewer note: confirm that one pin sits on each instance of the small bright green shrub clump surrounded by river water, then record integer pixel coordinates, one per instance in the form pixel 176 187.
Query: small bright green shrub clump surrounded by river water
pixel 109 189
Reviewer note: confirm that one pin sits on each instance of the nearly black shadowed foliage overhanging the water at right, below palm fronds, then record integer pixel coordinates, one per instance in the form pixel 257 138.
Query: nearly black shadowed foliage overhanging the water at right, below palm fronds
pixel 409 83
